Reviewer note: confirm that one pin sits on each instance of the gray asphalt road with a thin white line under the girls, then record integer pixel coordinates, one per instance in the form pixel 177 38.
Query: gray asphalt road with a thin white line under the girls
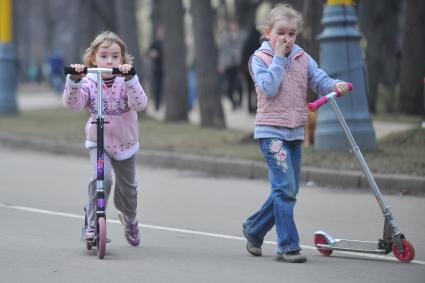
pixel 191 229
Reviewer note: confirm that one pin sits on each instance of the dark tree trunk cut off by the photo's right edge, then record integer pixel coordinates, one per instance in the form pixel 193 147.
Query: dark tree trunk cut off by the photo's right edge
pixel 413 60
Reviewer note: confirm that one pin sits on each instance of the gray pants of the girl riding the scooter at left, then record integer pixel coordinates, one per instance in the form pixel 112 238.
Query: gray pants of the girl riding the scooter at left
pixel 125 192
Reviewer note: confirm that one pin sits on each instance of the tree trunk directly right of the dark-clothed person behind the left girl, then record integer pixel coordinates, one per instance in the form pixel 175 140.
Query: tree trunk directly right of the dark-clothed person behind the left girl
pixel 175 83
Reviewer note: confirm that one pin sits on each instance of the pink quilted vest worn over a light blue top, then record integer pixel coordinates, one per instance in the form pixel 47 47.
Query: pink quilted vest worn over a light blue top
pixel 288 107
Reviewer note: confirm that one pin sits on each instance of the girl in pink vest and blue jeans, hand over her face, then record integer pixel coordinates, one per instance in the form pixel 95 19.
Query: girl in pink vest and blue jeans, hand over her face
pixel 282 71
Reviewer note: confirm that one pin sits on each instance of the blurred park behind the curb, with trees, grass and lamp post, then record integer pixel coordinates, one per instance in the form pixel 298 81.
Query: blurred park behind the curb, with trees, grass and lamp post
pixel 191 57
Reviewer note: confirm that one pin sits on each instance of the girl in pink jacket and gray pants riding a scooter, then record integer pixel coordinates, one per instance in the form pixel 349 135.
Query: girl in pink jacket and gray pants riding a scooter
pixel 123 98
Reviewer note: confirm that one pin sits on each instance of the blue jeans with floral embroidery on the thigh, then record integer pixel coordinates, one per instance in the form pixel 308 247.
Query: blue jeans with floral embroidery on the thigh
pixel 284 166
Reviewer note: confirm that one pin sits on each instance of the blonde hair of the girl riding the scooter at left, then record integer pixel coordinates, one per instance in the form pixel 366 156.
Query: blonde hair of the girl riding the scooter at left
pixel 108 37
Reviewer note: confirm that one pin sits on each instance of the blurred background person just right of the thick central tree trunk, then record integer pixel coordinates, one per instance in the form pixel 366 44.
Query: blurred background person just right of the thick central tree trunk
pixel 229 61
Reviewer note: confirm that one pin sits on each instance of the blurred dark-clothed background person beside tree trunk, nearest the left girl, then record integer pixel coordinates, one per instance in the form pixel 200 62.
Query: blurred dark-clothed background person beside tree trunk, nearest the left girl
pixel 156 55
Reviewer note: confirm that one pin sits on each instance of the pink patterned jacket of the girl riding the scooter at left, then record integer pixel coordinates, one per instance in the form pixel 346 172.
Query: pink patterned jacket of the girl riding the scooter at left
pixel 121 103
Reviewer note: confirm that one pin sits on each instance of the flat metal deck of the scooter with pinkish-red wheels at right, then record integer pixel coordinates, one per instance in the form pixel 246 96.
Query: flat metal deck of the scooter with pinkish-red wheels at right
pixel 353 246
